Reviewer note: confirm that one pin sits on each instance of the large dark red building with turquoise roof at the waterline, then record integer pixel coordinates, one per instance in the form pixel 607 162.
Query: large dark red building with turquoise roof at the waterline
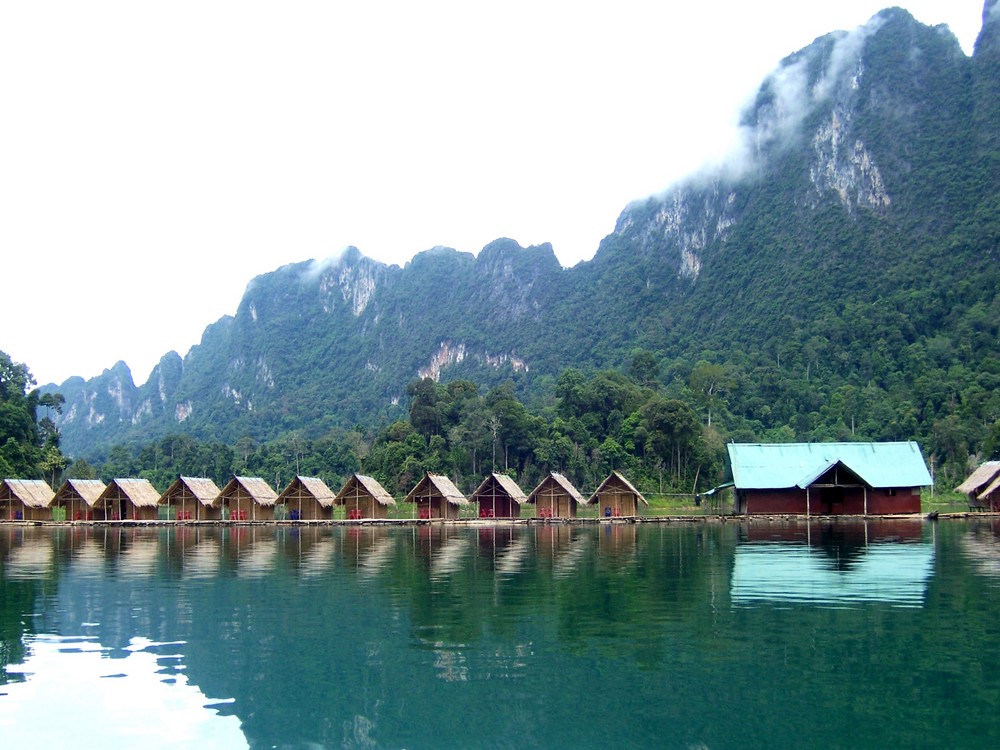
pixel 828 478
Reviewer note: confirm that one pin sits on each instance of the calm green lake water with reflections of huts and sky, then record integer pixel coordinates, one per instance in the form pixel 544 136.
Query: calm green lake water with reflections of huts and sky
pixel 654 636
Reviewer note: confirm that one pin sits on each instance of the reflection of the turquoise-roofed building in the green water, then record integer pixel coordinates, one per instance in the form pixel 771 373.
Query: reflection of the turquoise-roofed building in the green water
pixel 831 566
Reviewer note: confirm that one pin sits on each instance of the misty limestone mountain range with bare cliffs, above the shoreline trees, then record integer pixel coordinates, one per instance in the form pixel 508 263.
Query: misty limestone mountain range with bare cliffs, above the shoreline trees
pixel 852 241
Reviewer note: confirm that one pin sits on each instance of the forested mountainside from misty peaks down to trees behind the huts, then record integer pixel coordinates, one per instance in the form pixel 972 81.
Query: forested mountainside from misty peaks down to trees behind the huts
pixel 836 280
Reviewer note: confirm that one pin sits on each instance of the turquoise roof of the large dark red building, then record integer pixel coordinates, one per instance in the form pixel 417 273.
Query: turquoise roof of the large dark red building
pixel 783 465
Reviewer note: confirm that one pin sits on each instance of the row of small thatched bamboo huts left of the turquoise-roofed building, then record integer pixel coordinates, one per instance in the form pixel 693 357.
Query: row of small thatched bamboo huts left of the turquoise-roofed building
pixel 305 499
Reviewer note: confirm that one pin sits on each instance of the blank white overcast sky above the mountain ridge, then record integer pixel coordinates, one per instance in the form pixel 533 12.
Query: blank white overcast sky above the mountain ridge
pixel 156 156
